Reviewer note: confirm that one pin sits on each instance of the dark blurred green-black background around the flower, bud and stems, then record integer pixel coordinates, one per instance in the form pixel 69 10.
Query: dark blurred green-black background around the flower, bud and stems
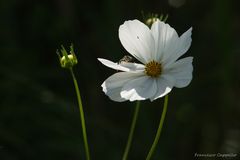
pixel 39 117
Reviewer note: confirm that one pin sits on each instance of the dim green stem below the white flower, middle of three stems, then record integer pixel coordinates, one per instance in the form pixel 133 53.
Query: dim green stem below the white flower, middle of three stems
pixel 130 136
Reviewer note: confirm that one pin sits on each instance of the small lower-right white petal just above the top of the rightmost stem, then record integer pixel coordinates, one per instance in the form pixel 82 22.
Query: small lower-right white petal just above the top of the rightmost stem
pixel 164 86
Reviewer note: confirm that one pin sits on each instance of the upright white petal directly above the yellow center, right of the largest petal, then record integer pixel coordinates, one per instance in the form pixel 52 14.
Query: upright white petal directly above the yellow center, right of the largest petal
pixel 166 39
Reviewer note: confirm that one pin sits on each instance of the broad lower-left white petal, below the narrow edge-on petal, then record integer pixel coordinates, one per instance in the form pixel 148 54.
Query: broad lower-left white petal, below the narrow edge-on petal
pixel 113 85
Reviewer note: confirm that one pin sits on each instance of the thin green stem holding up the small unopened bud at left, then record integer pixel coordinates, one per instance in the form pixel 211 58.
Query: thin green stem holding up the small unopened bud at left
pixel 81 115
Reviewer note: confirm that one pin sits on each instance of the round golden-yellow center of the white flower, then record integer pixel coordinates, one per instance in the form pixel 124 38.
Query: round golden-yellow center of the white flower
pixel 153 69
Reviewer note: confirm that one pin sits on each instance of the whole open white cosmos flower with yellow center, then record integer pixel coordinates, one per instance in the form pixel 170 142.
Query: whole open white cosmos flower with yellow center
pixel 158 49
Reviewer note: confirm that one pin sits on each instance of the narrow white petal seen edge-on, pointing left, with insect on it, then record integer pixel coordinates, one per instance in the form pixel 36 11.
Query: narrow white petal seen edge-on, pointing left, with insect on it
pixel 122 66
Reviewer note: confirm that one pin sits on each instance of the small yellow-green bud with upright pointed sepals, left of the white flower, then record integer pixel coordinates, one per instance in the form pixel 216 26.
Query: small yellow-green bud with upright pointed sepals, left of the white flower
pixel 67 60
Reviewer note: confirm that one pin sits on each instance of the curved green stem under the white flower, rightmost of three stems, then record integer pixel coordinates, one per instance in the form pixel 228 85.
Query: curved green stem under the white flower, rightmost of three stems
pixel 159 129
